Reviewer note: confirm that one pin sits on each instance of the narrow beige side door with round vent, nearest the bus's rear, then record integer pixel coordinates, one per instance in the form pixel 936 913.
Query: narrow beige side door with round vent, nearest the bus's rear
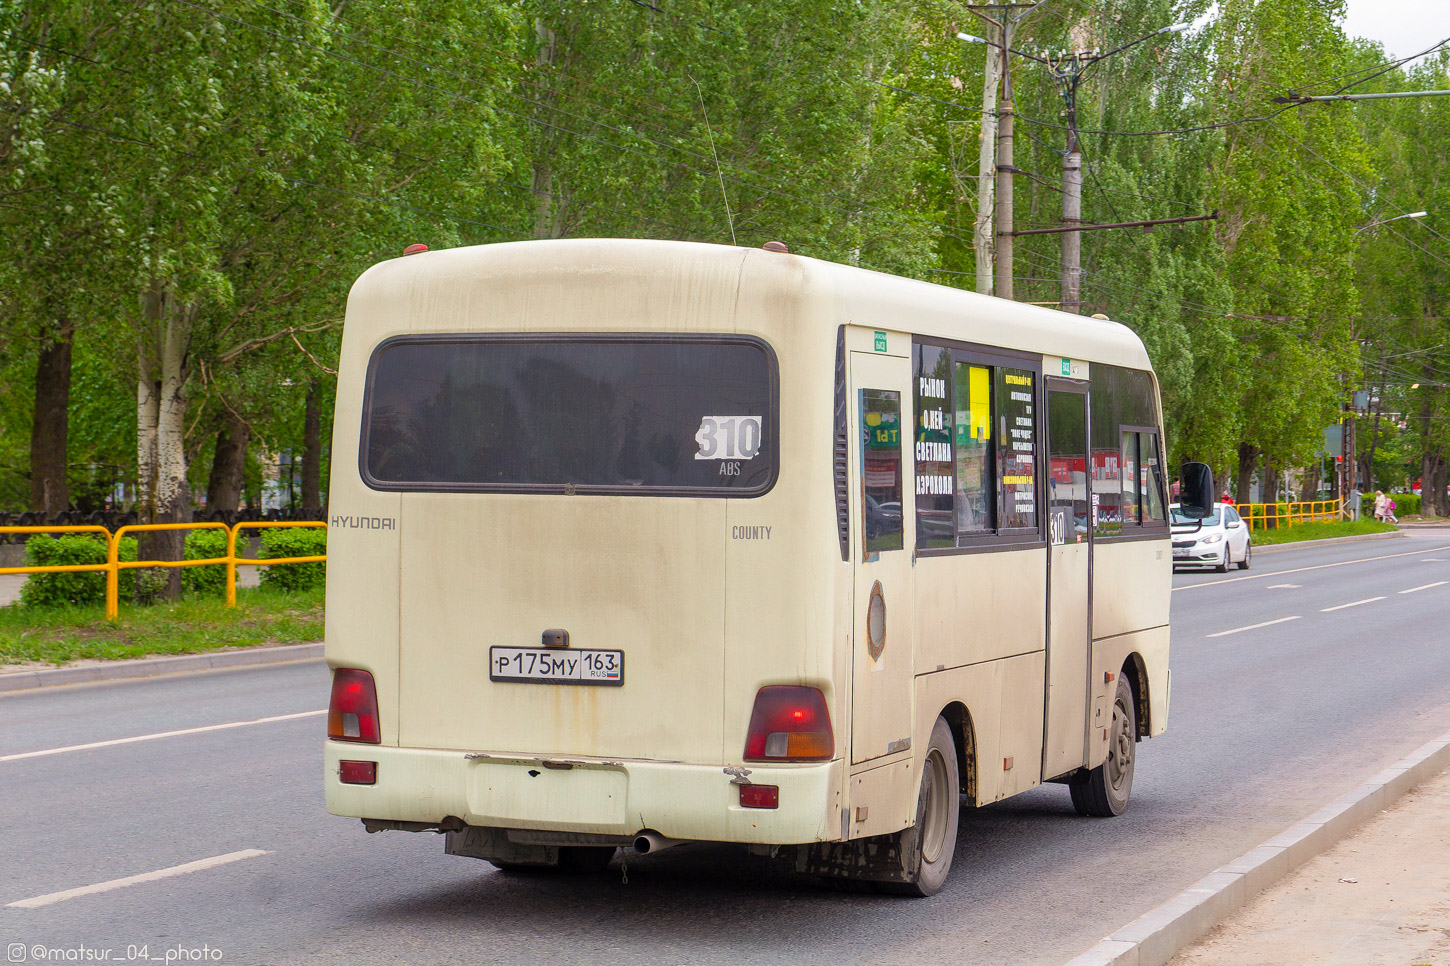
pixel 882 649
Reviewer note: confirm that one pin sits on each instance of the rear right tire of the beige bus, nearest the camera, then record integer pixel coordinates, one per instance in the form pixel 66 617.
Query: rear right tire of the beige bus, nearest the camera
pixel 927 848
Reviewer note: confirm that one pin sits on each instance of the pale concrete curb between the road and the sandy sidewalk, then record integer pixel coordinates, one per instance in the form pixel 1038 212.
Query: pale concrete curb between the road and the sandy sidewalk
pixel 1155 938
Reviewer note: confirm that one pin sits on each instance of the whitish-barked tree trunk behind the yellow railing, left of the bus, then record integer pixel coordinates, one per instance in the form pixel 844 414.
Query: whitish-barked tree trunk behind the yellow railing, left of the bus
pixel 163 492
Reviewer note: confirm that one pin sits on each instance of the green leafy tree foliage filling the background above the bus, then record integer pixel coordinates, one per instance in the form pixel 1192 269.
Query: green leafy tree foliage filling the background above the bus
pixel 204 183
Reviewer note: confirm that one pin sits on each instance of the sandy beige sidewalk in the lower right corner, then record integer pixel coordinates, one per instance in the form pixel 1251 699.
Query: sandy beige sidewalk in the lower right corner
pixel 1381 896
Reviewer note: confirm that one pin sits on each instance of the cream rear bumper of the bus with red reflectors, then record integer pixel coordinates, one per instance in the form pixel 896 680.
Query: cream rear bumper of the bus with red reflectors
pixel 601 797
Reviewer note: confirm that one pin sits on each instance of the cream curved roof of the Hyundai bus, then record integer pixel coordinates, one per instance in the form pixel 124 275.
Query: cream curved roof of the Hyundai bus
pixel 442 285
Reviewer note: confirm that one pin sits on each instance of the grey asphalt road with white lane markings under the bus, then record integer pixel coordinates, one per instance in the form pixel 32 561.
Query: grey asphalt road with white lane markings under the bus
pixel 1268 724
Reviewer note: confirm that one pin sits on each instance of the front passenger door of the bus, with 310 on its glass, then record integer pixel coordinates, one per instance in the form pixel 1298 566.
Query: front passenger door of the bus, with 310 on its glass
pixel 1069 568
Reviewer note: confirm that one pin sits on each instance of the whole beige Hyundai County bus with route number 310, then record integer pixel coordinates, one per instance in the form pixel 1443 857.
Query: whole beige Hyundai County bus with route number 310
pixel 640 543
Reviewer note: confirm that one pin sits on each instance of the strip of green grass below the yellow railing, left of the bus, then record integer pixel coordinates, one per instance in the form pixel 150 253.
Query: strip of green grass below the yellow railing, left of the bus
pixel 57 636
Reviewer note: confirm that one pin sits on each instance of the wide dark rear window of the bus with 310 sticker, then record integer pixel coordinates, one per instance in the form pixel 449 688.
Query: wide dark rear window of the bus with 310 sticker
pixel 671 416
